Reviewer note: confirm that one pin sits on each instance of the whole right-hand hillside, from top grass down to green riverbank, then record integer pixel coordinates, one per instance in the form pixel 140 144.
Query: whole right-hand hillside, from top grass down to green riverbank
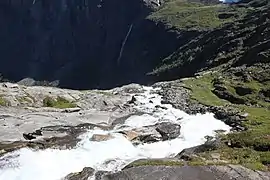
pixel 230 60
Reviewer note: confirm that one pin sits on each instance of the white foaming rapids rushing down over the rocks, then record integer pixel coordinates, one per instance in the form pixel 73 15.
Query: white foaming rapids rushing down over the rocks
pixel 113 154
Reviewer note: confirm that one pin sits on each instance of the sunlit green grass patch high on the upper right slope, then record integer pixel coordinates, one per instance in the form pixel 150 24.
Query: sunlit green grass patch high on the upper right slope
pixel 184 14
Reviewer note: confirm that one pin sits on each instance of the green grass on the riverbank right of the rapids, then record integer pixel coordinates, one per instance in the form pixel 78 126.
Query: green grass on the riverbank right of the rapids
pixel 250 148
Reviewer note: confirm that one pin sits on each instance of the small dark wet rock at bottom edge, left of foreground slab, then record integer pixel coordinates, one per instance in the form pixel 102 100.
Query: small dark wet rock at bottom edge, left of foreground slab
pixel 85 174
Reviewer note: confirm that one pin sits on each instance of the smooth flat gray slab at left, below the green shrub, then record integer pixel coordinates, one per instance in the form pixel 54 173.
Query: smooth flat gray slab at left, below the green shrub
pixel 16 121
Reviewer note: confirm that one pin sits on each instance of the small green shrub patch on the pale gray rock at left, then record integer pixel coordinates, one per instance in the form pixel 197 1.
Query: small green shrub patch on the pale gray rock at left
pixel 59 102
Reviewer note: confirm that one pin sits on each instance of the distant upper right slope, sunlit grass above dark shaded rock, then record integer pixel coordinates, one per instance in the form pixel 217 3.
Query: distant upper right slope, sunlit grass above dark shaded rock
pixel 217 35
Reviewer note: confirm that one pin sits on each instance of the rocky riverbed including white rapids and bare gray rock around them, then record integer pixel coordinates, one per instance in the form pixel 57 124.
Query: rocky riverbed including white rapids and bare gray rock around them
pixel 103 133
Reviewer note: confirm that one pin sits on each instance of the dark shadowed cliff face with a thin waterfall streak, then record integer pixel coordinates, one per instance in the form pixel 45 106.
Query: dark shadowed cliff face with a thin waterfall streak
pixel 81 43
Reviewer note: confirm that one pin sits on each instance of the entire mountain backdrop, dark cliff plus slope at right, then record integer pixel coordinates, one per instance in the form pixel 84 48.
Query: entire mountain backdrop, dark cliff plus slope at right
pixel 103 44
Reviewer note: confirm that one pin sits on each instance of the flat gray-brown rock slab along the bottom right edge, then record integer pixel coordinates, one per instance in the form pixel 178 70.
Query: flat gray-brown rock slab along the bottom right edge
pixel 187 173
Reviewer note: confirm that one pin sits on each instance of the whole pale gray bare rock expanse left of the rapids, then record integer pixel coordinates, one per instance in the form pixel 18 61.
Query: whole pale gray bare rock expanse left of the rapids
pixel 24 112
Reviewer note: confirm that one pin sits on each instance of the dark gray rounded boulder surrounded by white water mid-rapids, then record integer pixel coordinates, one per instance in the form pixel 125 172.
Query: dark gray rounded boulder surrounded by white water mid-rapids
pixel 168 130
